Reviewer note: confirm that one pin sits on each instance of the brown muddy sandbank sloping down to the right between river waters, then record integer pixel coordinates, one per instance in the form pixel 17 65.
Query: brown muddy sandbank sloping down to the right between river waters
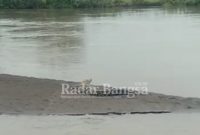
pixel 33 96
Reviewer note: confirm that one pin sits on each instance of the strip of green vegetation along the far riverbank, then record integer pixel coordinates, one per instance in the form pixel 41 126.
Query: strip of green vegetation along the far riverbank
pixel 89 3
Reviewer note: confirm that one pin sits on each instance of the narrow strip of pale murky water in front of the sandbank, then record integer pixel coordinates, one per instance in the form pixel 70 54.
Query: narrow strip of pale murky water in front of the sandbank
pixel 173 124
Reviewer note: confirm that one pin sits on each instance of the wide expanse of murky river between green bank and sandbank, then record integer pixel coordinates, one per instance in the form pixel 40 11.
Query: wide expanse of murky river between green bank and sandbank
pixel 116 46
